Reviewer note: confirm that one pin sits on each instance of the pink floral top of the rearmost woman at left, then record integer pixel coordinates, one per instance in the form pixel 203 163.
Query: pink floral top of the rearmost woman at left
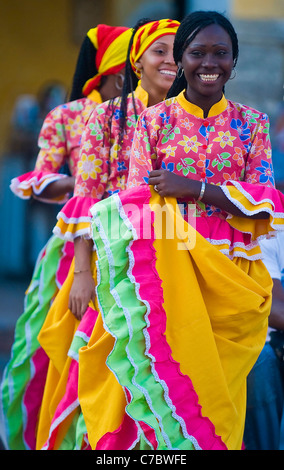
pixel 59 144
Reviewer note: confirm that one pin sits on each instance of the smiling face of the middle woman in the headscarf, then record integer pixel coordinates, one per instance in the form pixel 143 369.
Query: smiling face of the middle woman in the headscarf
pixel 157 65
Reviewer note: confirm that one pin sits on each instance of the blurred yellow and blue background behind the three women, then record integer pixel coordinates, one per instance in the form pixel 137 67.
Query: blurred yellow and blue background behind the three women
pixel 39 45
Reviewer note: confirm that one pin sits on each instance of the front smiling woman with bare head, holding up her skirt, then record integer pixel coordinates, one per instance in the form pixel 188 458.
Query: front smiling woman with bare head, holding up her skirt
pixel 185 317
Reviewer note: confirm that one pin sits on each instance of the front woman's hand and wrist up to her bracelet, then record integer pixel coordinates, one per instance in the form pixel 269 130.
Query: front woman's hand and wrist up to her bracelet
pixel 167 183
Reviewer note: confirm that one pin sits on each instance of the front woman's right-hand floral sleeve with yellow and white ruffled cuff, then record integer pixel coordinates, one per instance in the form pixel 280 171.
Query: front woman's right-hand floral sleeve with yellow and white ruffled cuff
pixel 257 192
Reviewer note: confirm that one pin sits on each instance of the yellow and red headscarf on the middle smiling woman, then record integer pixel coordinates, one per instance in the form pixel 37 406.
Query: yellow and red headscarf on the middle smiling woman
pixel 147 34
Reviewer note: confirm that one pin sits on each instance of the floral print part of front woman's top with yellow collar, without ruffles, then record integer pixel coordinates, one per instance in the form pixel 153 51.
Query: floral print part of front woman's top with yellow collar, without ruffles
pixel 232 143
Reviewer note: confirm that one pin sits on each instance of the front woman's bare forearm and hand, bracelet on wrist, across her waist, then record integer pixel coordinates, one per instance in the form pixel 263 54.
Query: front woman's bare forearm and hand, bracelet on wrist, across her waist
pixel 172 185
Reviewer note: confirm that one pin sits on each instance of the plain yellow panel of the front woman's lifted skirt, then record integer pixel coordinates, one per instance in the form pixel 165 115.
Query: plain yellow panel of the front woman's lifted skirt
pixel 216 321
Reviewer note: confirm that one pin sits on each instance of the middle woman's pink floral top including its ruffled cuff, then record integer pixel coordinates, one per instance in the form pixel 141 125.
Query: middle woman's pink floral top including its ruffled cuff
pixel 103 164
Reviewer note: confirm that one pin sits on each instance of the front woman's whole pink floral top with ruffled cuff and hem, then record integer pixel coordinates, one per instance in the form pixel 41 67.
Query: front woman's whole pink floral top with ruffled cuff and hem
pixel 230 148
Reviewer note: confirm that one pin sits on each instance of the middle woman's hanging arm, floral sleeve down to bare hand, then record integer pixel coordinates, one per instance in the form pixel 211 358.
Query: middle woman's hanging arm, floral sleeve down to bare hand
pixel 91 183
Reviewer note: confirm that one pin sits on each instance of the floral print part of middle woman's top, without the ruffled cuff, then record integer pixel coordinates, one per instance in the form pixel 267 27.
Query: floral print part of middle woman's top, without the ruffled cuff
pixel 104 157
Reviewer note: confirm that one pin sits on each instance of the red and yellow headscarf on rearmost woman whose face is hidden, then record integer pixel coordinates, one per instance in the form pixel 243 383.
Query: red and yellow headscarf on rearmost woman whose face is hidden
pixel 111 44
